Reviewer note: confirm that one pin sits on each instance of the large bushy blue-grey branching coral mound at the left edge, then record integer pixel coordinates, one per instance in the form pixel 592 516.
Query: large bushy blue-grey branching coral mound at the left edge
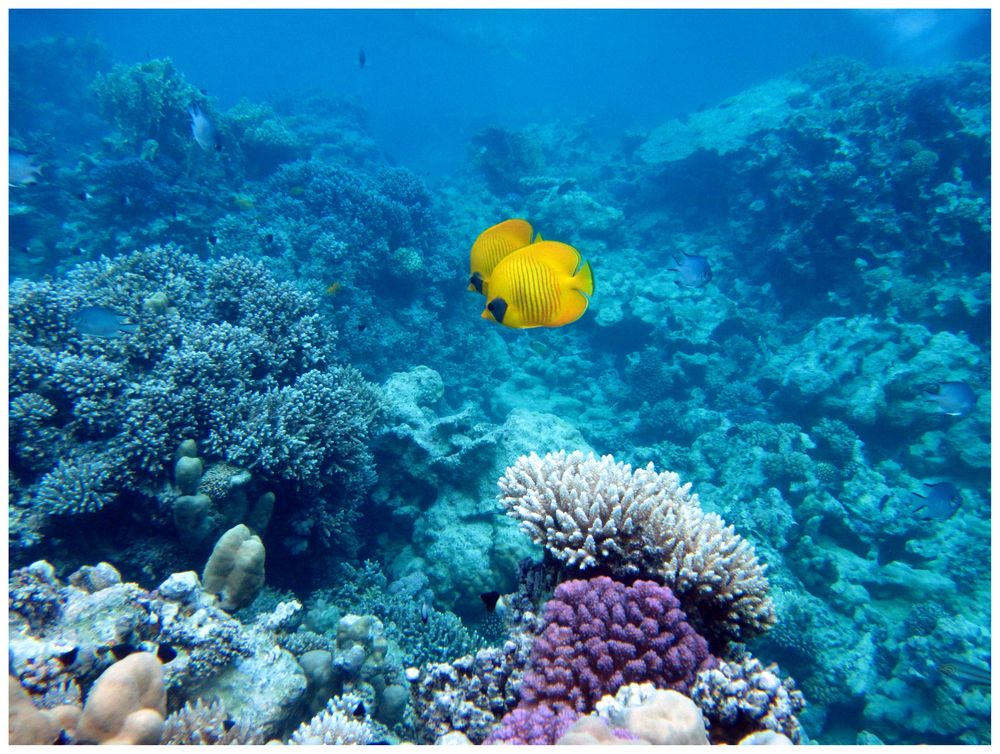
pixel 247 350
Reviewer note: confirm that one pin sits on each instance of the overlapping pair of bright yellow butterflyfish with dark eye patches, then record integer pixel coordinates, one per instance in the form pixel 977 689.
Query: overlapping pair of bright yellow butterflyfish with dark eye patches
pixel 528 284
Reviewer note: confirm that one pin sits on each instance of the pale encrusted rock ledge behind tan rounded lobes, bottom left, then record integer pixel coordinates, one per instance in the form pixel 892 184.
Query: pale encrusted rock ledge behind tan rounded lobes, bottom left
pixel 212 657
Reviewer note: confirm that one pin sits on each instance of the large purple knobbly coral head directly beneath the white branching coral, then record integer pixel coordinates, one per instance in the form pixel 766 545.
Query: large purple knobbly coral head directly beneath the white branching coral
pixel 601 634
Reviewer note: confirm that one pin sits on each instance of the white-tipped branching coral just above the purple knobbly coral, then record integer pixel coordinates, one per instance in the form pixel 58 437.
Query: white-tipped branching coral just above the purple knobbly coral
pixel 592 512
